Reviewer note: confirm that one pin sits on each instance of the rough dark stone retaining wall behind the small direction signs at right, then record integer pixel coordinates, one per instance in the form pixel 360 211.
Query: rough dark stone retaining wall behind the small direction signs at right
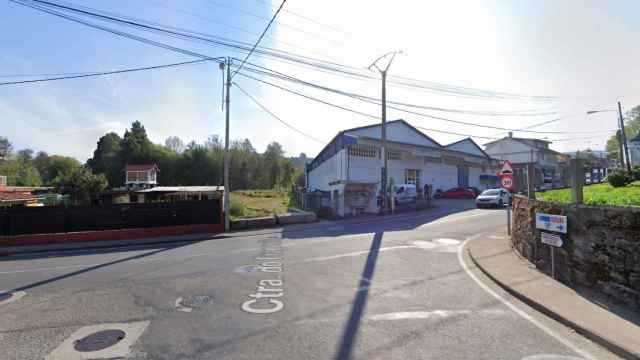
pixel 601 249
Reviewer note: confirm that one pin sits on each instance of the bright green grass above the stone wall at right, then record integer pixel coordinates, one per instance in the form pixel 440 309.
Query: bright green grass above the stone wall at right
pixel 598 194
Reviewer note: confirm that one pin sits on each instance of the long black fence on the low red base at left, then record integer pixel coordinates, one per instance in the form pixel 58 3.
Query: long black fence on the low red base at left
pixel 47 220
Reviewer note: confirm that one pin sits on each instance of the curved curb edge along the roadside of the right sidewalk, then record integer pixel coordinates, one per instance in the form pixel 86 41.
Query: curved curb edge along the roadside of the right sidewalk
pixel 610 345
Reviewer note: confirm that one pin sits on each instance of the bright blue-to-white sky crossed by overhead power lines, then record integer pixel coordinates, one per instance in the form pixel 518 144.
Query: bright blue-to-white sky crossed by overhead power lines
pixel 581 53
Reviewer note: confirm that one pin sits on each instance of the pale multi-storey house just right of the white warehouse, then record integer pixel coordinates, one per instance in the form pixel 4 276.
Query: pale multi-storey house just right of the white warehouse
pixel 549 164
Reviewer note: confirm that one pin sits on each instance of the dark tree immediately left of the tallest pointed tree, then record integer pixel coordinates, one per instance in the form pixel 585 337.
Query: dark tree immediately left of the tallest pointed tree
pixel 107 159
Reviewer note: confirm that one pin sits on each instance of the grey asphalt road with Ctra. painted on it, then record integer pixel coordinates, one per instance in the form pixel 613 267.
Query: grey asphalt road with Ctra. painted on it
pixel 399 287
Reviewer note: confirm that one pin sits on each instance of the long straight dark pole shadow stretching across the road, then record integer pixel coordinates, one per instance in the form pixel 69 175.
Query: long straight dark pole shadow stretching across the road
pixel 350 333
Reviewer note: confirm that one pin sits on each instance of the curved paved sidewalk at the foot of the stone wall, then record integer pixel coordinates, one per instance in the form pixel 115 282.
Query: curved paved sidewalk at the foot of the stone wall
pixel 611 326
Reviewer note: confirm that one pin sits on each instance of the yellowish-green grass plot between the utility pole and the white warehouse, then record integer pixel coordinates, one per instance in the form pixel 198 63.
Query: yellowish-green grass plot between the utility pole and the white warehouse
pixel 258 203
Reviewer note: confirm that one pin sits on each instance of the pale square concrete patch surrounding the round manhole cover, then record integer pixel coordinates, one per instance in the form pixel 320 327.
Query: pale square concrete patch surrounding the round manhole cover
pixel 121 349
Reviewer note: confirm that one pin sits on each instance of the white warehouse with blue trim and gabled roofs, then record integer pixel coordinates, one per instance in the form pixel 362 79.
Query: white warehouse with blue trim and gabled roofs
pixel 349 167
